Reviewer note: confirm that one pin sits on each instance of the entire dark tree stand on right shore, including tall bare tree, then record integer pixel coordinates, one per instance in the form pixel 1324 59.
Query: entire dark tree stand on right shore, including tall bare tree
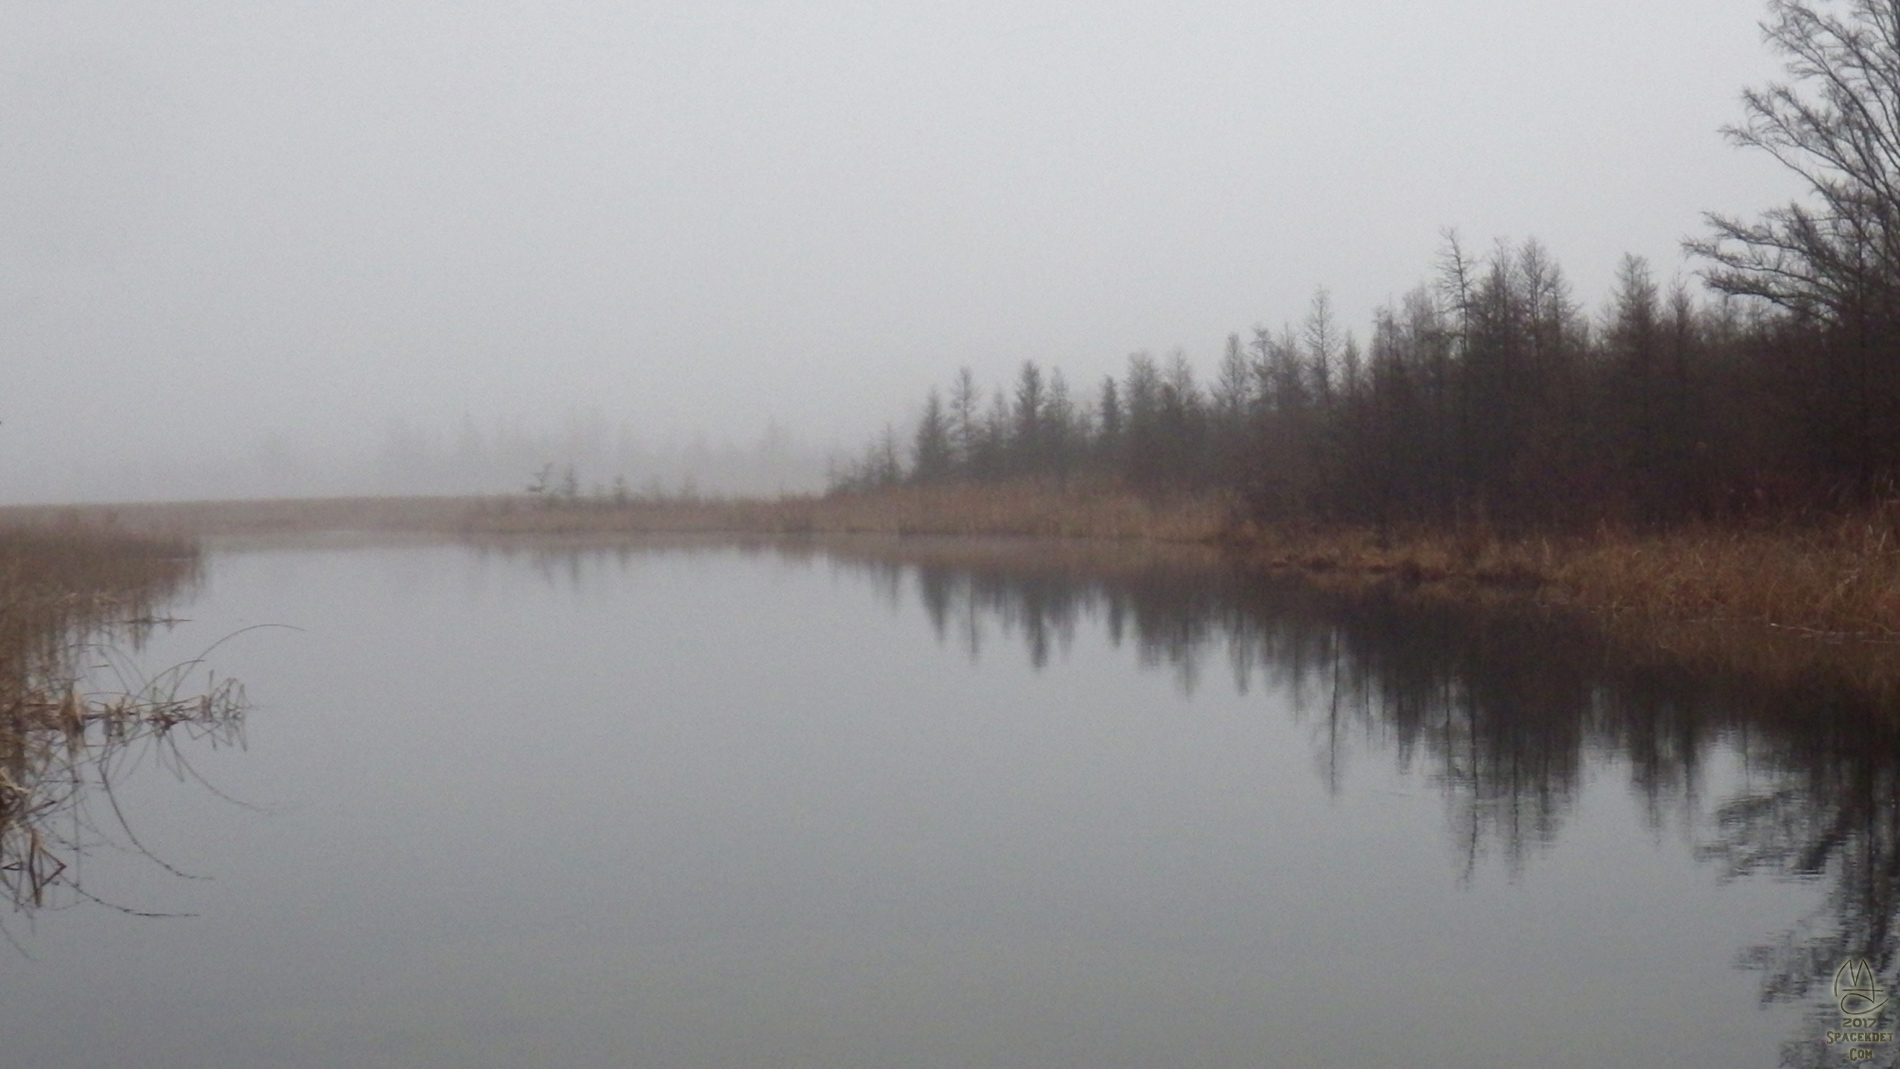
pixel 1491 394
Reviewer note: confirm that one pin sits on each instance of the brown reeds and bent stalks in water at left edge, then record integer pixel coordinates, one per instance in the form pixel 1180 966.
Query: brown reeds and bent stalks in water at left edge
pixel 67 595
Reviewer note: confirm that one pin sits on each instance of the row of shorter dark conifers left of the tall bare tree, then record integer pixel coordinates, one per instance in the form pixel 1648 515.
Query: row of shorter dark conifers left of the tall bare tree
pixel 1487 394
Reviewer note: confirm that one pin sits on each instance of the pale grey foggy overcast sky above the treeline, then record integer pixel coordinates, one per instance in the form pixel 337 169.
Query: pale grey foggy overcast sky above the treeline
pixel 229 219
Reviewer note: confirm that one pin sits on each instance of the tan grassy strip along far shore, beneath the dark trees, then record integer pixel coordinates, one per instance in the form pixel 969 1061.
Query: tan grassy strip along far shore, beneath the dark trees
pixel 1833 580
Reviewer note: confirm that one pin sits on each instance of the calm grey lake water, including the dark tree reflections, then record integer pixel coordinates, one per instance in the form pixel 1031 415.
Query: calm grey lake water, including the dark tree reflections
pixel 788 808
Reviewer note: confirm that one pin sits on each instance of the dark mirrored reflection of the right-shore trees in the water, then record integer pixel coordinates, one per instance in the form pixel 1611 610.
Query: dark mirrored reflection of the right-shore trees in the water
pixel 1504 711
